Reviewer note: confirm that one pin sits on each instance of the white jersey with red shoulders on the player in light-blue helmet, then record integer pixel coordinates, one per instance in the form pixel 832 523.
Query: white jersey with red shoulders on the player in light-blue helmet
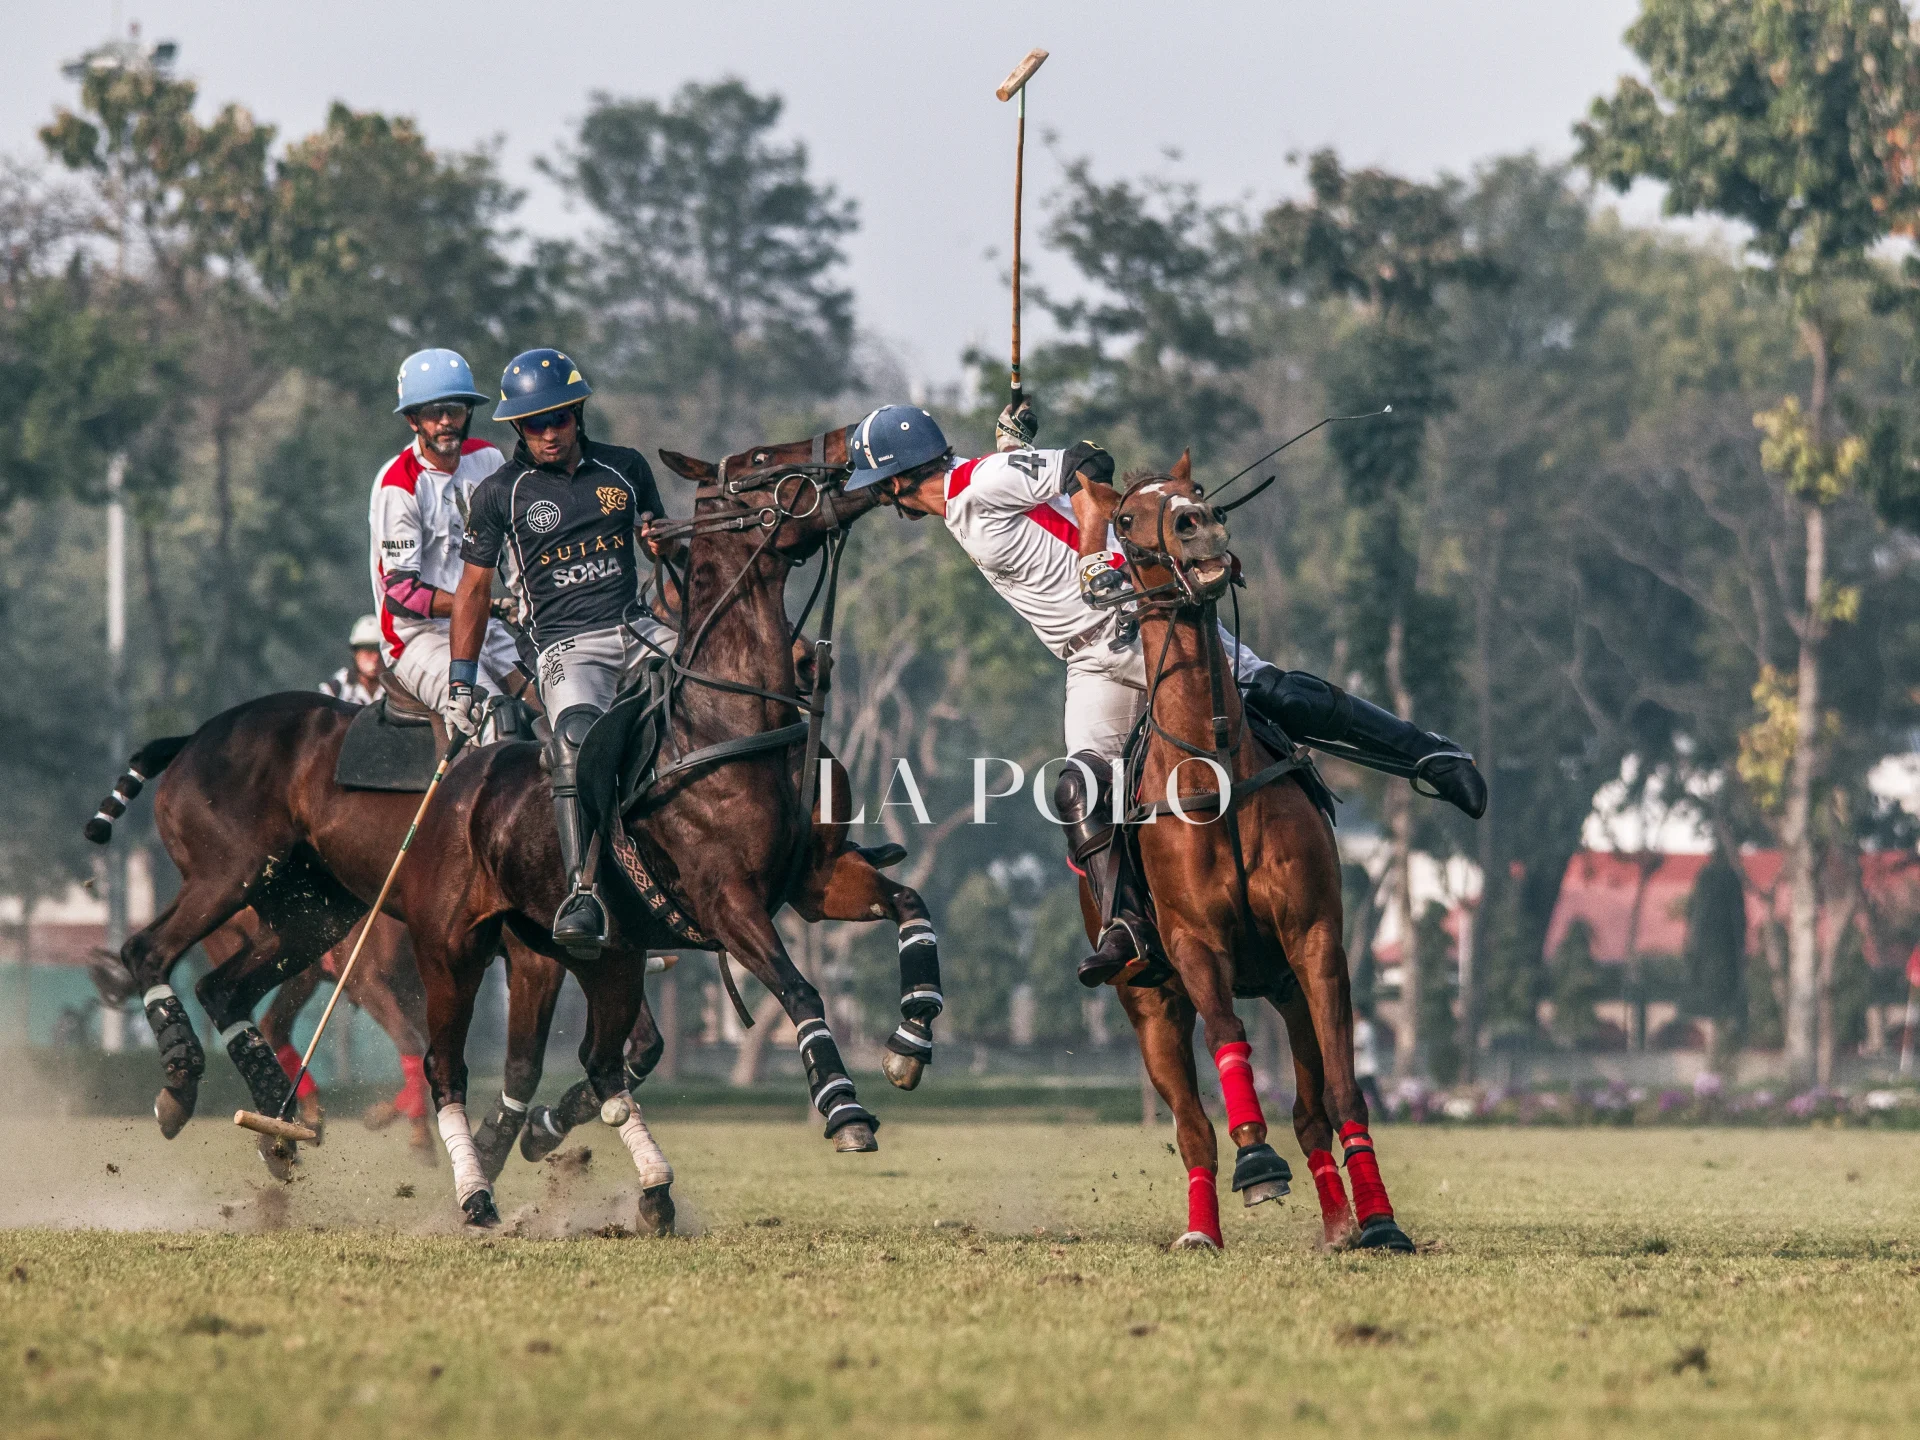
pixel 420 517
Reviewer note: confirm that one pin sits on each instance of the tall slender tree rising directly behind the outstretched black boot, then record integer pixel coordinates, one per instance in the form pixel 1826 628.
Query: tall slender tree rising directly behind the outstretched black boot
pixel 1387 249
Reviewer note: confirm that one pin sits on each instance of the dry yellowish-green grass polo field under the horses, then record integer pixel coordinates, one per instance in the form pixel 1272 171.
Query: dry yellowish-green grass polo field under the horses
pixel 969 1280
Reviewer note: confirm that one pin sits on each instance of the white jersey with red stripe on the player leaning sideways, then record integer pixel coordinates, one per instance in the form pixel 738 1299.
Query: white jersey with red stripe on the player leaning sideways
pixel 1017 525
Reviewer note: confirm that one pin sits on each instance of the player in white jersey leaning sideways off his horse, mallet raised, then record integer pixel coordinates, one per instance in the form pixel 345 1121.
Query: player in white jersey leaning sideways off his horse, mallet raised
pixel 1019 516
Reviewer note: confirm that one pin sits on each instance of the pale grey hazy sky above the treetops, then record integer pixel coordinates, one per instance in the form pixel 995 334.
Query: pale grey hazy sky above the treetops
pixel 896 101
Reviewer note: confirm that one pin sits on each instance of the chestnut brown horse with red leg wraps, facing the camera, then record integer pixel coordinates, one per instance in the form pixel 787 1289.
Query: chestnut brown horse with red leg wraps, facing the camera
pixel 1247 901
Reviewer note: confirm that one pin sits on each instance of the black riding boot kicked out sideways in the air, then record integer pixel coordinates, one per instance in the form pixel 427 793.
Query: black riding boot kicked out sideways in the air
pixel 1326 717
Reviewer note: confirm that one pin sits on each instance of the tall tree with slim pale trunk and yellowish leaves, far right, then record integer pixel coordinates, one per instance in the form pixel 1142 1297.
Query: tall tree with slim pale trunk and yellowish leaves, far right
pixel 1781 114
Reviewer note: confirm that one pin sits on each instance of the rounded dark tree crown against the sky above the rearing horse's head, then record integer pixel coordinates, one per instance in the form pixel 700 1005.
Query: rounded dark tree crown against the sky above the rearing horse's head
pixel 713 268
